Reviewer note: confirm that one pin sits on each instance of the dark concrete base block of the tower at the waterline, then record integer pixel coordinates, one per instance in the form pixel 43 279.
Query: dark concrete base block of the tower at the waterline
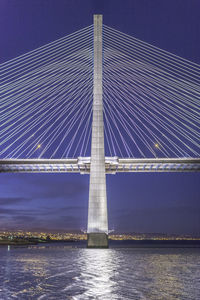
pixel 97 240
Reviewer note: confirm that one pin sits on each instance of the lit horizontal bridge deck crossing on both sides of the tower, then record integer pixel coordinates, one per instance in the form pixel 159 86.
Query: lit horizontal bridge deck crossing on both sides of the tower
pixel 113 165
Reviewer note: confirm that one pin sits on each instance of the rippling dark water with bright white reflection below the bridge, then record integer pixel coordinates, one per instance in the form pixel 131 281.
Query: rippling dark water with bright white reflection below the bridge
pixel 64 271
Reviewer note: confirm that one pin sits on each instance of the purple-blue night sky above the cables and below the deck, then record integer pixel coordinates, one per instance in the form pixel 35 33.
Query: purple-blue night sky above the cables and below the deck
pixel 156 203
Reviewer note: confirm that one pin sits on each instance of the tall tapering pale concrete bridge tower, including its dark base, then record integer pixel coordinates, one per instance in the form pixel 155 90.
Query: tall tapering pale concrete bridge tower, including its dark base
pixel 97 211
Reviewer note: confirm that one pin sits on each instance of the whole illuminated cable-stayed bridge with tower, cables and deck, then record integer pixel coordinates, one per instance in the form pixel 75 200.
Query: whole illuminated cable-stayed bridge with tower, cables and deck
pixel 99 102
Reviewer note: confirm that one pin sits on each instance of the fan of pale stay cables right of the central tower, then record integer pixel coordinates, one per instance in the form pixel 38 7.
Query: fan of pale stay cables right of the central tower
pixel 151 100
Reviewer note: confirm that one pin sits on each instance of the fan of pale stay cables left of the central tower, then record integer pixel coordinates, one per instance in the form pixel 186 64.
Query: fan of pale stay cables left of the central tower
pixel 46 100
